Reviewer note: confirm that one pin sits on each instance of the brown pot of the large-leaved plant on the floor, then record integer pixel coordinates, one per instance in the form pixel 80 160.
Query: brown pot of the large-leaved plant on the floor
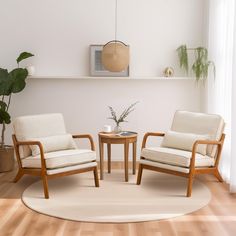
pixel 7 160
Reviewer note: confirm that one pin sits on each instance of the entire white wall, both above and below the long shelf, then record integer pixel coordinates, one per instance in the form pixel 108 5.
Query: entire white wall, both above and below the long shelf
pixel 59 33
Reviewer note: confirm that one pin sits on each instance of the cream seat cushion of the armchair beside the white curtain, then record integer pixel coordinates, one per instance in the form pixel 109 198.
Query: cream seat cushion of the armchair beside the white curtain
pixel 175 157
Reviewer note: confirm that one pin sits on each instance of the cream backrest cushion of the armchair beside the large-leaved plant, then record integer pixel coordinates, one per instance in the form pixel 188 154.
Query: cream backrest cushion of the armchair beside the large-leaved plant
pixel 27 128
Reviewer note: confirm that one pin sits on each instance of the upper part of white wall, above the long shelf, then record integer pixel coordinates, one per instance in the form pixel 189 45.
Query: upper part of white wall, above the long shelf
pixel 59 32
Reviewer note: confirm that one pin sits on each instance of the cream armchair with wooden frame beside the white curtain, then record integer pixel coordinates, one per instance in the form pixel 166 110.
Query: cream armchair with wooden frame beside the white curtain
pixel 192 146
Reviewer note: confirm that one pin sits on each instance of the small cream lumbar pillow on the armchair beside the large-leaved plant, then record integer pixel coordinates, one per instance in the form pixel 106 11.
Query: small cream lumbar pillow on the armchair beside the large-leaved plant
pixel 54 143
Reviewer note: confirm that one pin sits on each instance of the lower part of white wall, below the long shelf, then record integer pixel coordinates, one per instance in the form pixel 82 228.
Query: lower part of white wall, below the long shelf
pixel 84 103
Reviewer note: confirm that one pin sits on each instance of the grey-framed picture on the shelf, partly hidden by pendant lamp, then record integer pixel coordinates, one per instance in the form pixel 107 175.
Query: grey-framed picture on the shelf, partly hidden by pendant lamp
pixel 96 67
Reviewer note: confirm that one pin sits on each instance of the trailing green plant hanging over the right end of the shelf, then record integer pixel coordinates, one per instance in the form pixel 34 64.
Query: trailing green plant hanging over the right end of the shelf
pixel 201 64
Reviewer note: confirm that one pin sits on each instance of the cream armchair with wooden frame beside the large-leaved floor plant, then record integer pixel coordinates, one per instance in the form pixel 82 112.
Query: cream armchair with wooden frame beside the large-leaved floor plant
pixel 43 148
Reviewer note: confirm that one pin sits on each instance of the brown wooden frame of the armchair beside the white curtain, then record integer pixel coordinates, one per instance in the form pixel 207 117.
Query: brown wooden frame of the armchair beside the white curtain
pixel 192 170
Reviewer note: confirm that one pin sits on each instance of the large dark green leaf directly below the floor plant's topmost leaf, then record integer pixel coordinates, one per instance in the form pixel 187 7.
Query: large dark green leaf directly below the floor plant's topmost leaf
pixel 18 76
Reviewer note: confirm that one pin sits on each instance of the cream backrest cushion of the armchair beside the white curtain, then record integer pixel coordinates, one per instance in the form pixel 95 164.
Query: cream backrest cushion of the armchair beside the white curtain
pixel 201 124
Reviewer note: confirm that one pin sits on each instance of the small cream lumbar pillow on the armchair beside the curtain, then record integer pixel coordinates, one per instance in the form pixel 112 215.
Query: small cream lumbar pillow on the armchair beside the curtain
pixel 184 141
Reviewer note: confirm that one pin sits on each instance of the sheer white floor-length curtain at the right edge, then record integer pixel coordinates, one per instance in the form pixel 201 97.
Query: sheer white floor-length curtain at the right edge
pixel 221 92
